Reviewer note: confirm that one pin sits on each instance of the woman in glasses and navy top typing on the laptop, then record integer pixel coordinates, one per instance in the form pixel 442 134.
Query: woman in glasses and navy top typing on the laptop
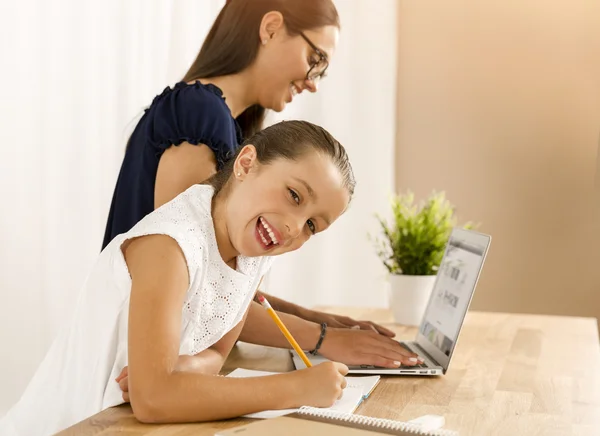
pixel 258 55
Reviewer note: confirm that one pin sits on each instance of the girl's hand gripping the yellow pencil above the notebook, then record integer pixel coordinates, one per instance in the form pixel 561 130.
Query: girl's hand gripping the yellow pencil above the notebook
pixel 320 385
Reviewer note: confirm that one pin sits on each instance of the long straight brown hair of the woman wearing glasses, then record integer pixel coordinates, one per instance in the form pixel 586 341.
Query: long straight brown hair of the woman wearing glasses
pixel 233 41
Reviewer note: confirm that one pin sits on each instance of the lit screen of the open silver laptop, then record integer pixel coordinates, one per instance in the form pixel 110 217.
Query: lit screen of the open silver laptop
pixel 456 280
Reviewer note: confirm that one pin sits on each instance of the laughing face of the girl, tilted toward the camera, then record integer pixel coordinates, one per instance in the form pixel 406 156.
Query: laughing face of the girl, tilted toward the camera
pixel 273 209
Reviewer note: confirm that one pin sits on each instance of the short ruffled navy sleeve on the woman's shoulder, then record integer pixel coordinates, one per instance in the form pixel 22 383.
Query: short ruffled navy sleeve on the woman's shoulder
pixel 193 113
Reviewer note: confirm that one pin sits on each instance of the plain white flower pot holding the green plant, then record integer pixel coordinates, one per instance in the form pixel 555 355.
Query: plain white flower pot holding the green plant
pixel 409 296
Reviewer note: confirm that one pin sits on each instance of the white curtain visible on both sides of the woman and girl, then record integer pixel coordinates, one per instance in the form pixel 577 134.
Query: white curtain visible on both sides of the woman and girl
pixel 77 75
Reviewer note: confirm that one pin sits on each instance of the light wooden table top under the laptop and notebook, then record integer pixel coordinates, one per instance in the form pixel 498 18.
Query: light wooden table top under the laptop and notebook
pixel 510 375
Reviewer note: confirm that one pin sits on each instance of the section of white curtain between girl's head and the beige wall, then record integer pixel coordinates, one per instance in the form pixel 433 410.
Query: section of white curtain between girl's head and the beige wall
pixel 357 104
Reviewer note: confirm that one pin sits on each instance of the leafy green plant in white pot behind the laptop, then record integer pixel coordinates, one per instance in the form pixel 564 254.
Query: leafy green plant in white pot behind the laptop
pixel 412 248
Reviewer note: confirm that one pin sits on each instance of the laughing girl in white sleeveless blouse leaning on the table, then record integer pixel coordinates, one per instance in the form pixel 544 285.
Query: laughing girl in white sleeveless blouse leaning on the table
pixel 168 298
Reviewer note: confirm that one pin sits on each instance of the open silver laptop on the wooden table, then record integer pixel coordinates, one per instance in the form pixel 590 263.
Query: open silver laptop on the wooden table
pixel 440 327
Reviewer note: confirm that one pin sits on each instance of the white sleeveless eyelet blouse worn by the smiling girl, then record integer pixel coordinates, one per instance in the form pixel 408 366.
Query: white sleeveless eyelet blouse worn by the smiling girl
pixel 76 378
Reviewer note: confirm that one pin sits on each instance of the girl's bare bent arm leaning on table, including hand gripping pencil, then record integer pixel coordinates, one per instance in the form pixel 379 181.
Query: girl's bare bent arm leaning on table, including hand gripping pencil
pixel 161 393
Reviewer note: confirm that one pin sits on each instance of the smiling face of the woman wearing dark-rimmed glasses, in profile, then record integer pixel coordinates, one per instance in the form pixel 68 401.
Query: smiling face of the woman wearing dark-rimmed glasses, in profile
pixel 284 62
